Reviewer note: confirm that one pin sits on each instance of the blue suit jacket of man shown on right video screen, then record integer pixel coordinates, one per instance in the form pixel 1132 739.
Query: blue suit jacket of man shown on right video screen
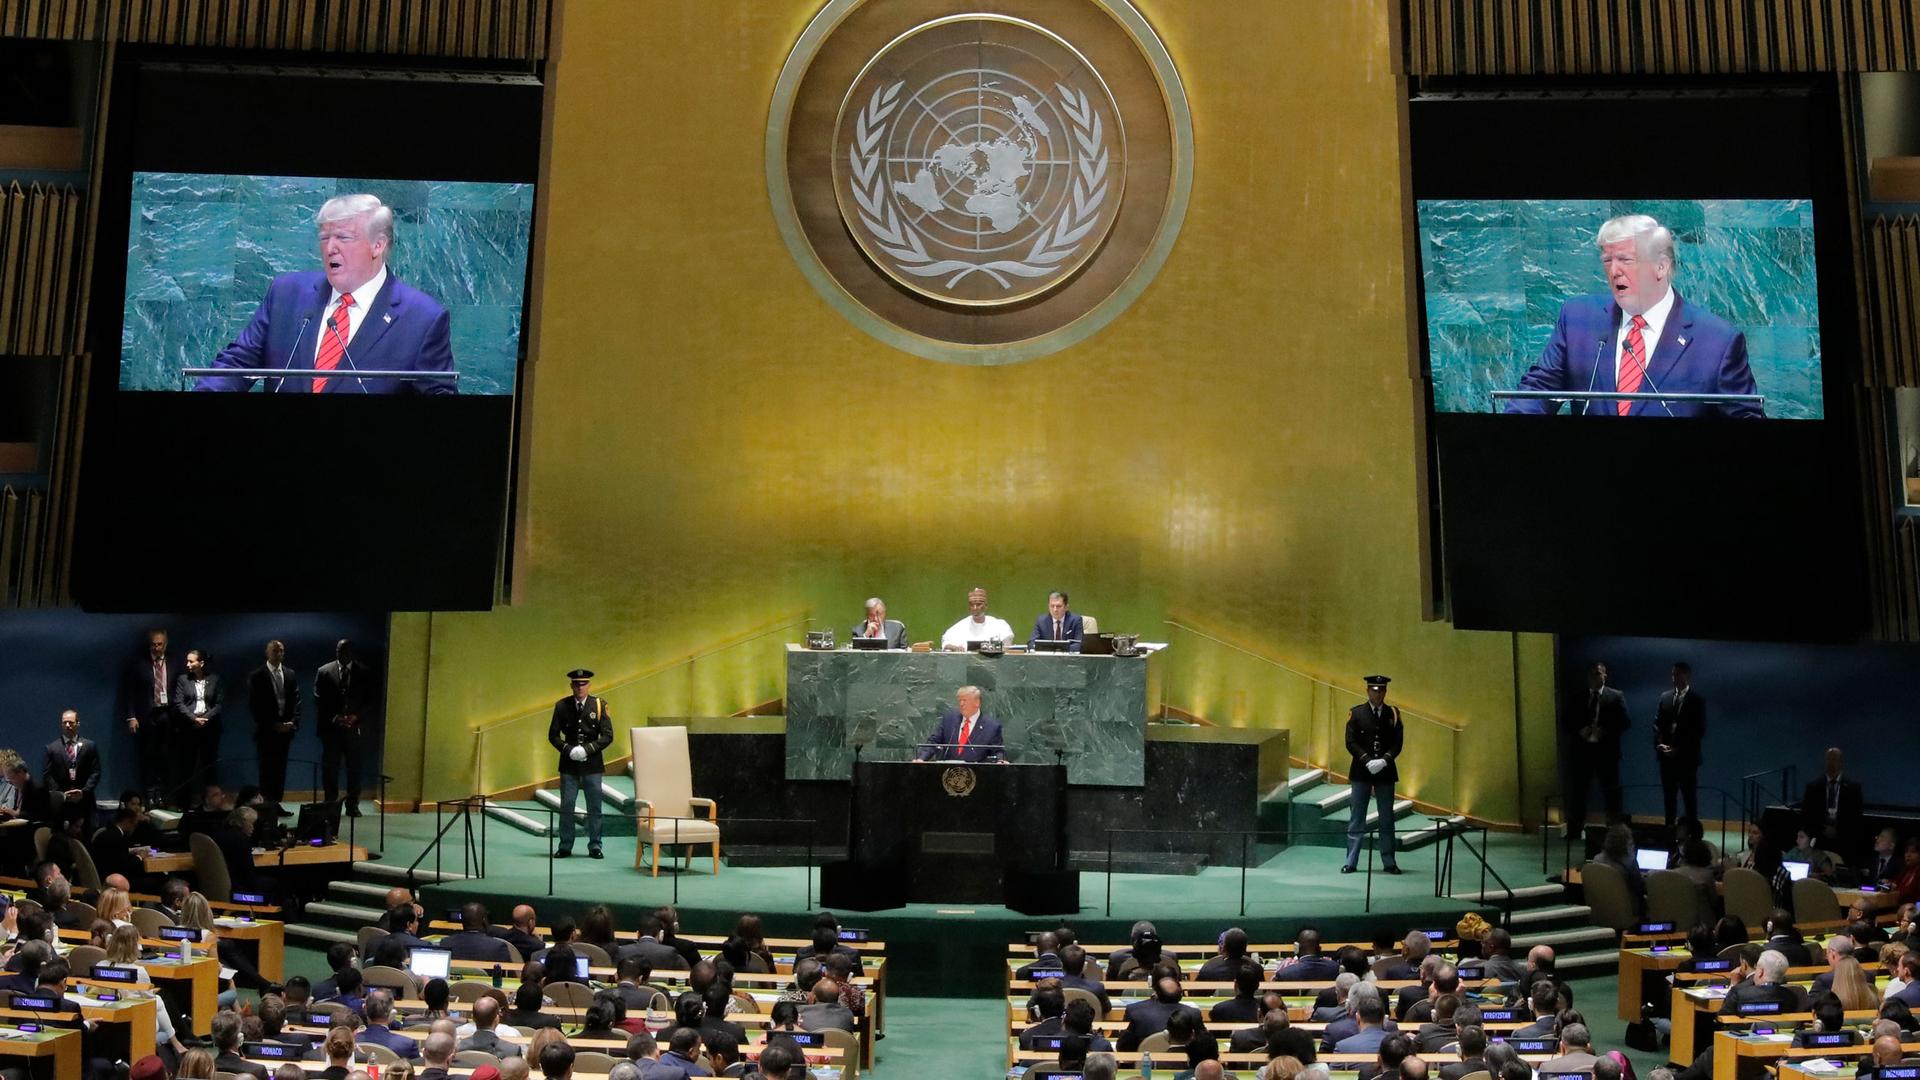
pixel 1698 355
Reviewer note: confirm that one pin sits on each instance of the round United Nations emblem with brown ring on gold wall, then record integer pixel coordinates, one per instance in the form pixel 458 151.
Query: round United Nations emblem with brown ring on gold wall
pixel 980 187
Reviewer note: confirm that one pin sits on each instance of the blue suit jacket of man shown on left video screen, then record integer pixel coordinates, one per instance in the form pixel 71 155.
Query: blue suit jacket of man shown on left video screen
pixel 404 330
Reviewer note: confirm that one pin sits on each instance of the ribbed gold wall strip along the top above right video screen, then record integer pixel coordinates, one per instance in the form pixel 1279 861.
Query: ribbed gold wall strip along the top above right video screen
pixel 1668 37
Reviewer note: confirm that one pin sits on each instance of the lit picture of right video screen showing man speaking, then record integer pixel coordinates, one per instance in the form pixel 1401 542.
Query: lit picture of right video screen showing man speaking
pixel 1698 308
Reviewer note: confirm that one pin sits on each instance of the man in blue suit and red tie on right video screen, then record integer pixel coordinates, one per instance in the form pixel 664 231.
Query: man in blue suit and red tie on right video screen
pixel 1641 339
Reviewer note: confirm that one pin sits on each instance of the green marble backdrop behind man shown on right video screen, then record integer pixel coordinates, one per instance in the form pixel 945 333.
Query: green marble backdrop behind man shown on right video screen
pixel 1497 274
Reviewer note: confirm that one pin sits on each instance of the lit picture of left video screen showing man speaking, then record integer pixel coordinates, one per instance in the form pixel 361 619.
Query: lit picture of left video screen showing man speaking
pixel 300 285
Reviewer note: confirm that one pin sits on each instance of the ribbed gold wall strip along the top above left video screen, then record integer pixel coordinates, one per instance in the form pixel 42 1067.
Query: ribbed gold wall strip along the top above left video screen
pixel 477 30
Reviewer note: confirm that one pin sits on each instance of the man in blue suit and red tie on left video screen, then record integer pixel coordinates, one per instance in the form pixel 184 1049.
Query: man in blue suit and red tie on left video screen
pixel 352 316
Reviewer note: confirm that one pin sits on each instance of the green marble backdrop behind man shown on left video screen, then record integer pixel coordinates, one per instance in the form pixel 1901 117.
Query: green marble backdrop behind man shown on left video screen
pixel 203 249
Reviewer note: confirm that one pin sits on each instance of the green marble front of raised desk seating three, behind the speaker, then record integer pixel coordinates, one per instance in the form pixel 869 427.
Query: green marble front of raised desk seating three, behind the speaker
pixel 886 702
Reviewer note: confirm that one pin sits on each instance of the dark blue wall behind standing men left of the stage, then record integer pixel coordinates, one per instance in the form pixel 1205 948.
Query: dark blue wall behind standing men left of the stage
pixel 72 660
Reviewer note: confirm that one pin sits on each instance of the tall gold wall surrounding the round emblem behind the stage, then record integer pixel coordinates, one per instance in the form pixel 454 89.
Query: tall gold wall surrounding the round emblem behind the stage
pixel 713 451
